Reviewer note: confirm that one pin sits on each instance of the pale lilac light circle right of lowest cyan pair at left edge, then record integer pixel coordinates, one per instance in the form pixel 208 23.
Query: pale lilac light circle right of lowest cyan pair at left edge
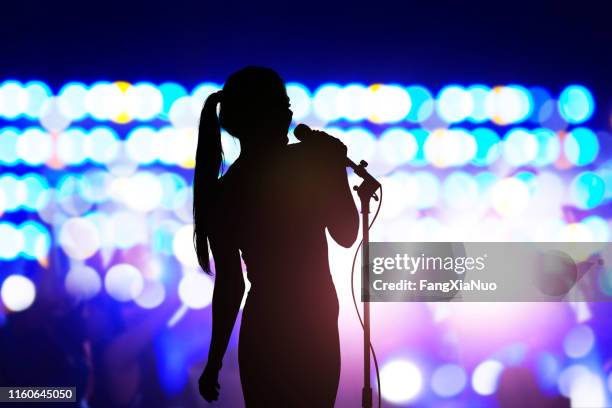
pixel 79 238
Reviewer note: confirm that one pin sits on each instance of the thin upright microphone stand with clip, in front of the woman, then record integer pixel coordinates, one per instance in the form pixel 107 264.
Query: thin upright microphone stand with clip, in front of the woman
pixel 365 191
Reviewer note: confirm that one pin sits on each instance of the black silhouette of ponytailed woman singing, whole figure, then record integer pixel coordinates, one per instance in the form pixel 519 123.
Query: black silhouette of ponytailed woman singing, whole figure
pixel 272 205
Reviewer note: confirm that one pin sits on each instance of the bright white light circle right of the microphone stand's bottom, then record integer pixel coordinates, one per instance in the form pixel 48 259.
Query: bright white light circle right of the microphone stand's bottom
pixel 401 381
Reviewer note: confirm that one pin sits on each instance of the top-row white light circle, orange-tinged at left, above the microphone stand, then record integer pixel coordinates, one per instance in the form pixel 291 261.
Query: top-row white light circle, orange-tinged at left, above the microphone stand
pixel 388 103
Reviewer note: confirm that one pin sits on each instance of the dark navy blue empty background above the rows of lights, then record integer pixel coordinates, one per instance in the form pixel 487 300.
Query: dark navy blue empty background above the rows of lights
pixel 495 42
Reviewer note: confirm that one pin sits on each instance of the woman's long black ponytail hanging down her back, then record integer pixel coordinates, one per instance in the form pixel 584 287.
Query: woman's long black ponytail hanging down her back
pixel 209 155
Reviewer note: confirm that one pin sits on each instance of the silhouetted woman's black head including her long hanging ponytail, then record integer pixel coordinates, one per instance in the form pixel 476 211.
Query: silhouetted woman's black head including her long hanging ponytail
pixel 254 108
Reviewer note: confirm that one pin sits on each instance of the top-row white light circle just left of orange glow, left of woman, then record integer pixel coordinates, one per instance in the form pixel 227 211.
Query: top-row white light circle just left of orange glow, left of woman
pixel 105 101
